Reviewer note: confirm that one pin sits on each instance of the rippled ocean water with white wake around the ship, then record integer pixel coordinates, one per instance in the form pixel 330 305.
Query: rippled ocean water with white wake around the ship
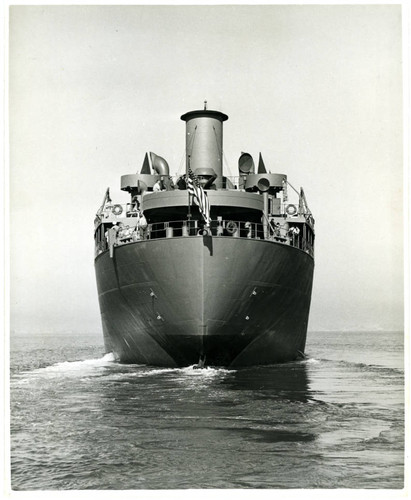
pixel 81 421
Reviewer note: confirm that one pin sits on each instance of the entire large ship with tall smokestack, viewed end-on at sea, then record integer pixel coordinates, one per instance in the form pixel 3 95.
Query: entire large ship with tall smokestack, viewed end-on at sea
pixel 202 269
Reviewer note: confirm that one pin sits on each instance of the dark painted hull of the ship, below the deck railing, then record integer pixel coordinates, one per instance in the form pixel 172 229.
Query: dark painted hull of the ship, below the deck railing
pixel 236 301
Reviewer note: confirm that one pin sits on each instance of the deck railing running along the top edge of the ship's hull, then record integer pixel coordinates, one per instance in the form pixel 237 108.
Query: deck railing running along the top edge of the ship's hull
pixel 283 234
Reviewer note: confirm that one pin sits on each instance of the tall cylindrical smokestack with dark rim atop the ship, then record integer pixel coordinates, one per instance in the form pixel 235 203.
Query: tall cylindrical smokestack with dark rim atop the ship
pixel 204 141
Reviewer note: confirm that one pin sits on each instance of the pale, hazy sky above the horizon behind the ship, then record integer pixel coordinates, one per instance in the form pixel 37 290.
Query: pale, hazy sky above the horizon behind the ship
pixel 317 89
